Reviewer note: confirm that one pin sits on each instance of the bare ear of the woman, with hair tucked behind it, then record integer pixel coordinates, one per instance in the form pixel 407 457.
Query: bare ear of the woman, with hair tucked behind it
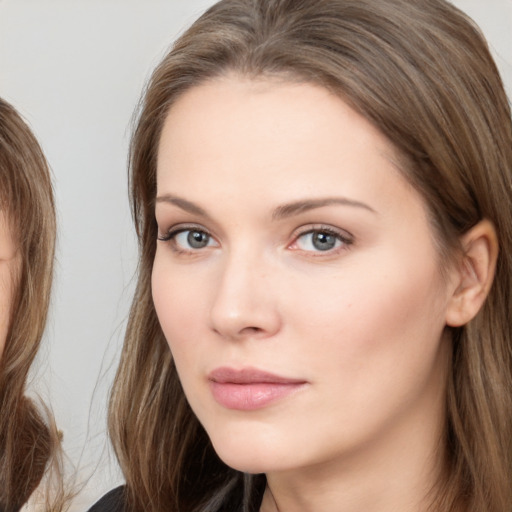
pixel 474 273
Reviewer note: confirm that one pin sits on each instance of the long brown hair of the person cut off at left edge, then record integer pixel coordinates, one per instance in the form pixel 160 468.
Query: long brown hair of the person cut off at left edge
pixel 29 442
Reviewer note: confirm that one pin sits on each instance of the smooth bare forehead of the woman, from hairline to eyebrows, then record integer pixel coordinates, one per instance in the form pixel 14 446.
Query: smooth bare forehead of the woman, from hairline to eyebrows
pixel 273 138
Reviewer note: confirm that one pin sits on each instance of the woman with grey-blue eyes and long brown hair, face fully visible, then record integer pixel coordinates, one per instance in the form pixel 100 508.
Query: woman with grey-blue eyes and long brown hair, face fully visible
pixel 321 191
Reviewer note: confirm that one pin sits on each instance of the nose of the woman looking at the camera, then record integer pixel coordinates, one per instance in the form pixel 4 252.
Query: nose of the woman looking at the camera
pixel 245 304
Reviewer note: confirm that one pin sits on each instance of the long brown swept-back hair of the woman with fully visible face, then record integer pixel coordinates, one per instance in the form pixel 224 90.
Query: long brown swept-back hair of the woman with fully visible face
pixel 422 73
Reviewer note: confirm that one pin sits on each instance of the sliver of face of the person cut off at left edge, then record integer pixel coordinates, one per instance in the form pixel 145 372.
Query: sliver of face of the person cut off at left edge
pixel 8 265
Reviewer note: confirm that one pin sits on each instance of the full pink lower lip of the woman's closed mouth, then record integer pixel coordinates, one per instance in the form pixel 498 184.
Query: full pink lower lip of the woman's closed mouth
pixel 251 396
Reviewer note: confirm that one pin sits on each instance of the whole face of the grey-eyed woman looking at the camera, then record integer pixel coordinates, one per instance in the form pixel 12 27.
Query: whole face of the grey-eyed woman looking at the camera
pixel 295 278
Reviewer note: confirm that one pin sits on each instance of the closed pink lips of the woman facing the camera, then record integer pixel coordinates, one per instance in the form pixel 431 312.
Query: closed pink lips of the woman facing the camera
pixel 248 389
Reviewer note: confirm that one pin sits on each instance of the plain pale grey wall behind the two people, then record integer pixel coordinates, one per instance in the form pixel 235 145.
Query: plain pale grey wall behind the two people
pixel 75 70
